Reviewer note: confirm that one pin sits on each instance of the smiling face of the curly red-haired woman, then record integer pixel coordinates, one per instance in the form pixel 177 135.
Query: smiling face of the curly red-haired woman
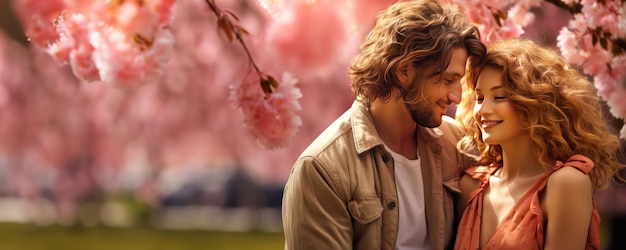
pixel 498 119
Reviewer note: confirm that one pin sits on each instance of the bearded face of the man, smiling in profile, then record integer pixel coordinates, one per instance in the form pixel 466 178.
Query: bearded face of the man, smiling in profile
pixel 439 92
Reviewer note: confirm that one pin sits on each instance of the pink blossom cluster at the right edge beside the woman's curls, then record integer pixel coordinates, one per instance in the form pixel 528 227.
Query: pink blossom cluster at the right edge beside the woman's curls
pixel 589 41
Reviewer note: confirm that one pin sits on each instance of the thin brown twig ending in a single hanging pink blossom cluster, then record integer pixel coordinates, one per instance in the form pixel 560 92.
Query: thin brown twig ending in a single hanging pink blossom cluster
pixel 270 115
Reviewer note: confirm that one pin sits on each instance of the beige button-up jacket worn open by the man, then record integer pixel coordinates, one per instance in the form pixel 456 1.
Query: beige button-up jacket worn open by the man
pixel 341 192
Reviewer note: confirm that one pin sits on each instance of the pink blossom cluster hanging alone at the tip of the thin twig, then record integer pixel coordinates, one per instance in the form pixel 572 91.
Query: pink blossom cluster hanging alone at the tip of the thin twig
pixel 271 118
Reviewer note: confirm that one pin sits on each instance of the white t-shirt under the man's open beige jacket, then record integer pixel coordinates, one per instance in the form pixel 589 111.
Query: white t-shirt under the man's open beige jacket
pixel 412 227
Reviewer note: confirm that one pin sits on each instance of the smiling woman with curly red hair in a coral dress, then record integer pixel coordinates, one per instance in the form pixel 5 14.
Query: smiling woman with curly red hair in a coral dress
pixel 537 126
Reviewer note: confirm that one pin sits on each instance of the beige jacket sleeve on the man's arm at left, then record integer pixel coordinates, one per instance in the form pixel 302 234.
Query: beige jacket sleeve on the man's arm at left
pixel 315 216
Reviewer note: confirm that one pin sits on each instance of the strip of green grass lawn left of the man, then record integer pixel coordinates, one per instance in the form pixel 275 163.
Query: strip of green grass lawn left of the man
pixel 31 237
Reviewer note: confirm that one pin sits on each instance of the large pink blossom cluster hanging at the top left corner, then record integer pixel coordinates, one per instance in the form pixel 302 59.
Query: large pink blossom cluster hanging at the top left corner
pixel 117 41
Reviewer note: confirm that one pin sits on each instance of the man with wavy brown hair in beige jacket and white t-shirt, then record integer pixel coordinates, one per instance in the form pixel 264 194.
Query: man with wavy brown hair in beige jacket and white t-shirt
pixel 385 174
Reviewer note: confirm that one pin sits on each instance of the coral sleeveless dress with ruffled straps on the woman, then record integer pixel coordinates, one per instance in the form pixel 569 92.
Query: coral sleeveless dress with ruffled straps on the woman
pixel 523 227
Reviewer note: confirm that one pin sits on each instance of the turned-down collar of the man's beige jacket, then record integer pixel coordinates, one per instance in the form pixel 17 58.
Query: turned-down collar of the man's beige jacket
pixel 365 135
